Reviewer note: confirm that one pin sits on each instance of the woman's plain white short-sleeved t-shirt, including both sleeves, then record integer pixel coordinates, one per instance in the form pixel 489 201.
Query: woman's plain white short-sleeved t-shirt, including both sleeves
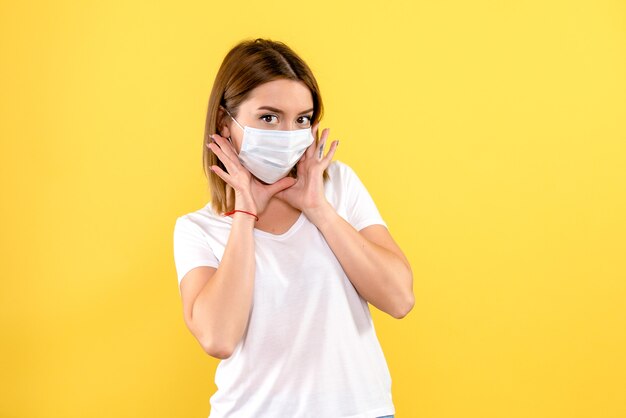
pixel 310 348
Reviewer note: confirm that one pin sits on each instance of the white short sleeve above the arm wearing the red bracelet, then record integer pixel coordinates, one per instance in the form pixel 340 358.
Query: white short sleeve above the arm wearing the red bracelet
pixel 191 248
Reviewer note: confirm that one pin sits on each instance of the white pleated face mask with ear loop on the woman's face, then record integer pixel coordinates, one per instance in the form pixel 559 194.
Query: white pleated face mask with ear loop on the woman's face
pixel 271 154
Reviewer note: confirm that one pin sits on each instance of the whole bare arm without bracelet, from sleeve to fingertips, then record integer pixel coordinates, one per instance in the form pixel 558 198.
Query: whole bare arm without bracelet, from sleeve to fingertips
pixel 371 259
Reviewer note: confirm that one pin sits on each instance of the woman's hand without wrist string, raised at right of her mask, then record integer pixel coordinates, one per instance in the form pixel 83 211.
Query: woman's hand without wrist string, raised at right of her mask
pixel 307 193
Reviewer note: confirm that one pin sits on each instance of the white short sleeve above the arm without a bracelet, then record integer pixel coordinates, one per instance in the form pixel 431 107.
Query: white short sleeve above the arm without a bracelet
pixel 360 208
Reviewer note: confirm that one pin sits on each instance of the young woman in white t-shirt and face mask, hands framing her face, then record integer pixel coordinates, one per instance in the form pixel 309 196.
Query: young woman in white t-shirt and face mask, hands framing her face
pixel 277 270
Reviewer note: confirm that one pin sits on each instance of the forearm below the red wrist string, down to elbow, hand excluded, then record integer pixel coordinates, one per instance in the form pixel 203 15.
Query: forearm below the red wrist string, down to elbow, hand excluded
pixel 222 308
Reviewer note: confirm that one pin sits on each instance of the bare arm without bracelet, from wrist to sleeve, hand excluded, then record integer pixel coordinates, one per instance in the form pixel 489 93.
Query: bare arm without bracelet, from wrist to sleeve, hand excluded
pixel 371 259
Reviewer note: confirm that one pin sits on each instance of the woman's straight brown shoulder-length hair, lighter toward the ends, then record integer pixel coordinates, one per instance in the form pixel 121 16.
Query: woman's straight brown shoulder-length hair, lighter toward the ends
pixel 246 66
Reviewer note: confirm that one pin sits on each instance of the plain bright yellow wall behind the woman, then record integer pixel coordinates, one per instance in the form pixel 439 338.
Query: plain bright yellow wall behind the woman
pixel 491 135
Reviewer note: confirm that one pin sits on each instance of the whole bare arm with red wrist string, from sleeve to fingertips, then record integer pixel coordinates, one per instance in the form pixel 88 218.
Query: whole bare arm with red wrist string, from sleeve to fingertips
pixel 218 301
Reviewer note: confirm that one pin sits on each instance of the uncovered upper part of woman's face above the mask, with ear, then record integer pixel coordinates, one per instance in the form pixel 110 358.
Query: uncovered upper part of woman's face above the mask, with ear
pixel 279 104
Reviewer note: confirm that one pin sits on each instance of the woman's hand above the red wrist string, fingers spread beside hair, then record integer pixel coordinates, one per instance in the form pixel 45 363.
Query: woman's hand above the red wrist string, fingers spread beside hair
pixel 250 194
